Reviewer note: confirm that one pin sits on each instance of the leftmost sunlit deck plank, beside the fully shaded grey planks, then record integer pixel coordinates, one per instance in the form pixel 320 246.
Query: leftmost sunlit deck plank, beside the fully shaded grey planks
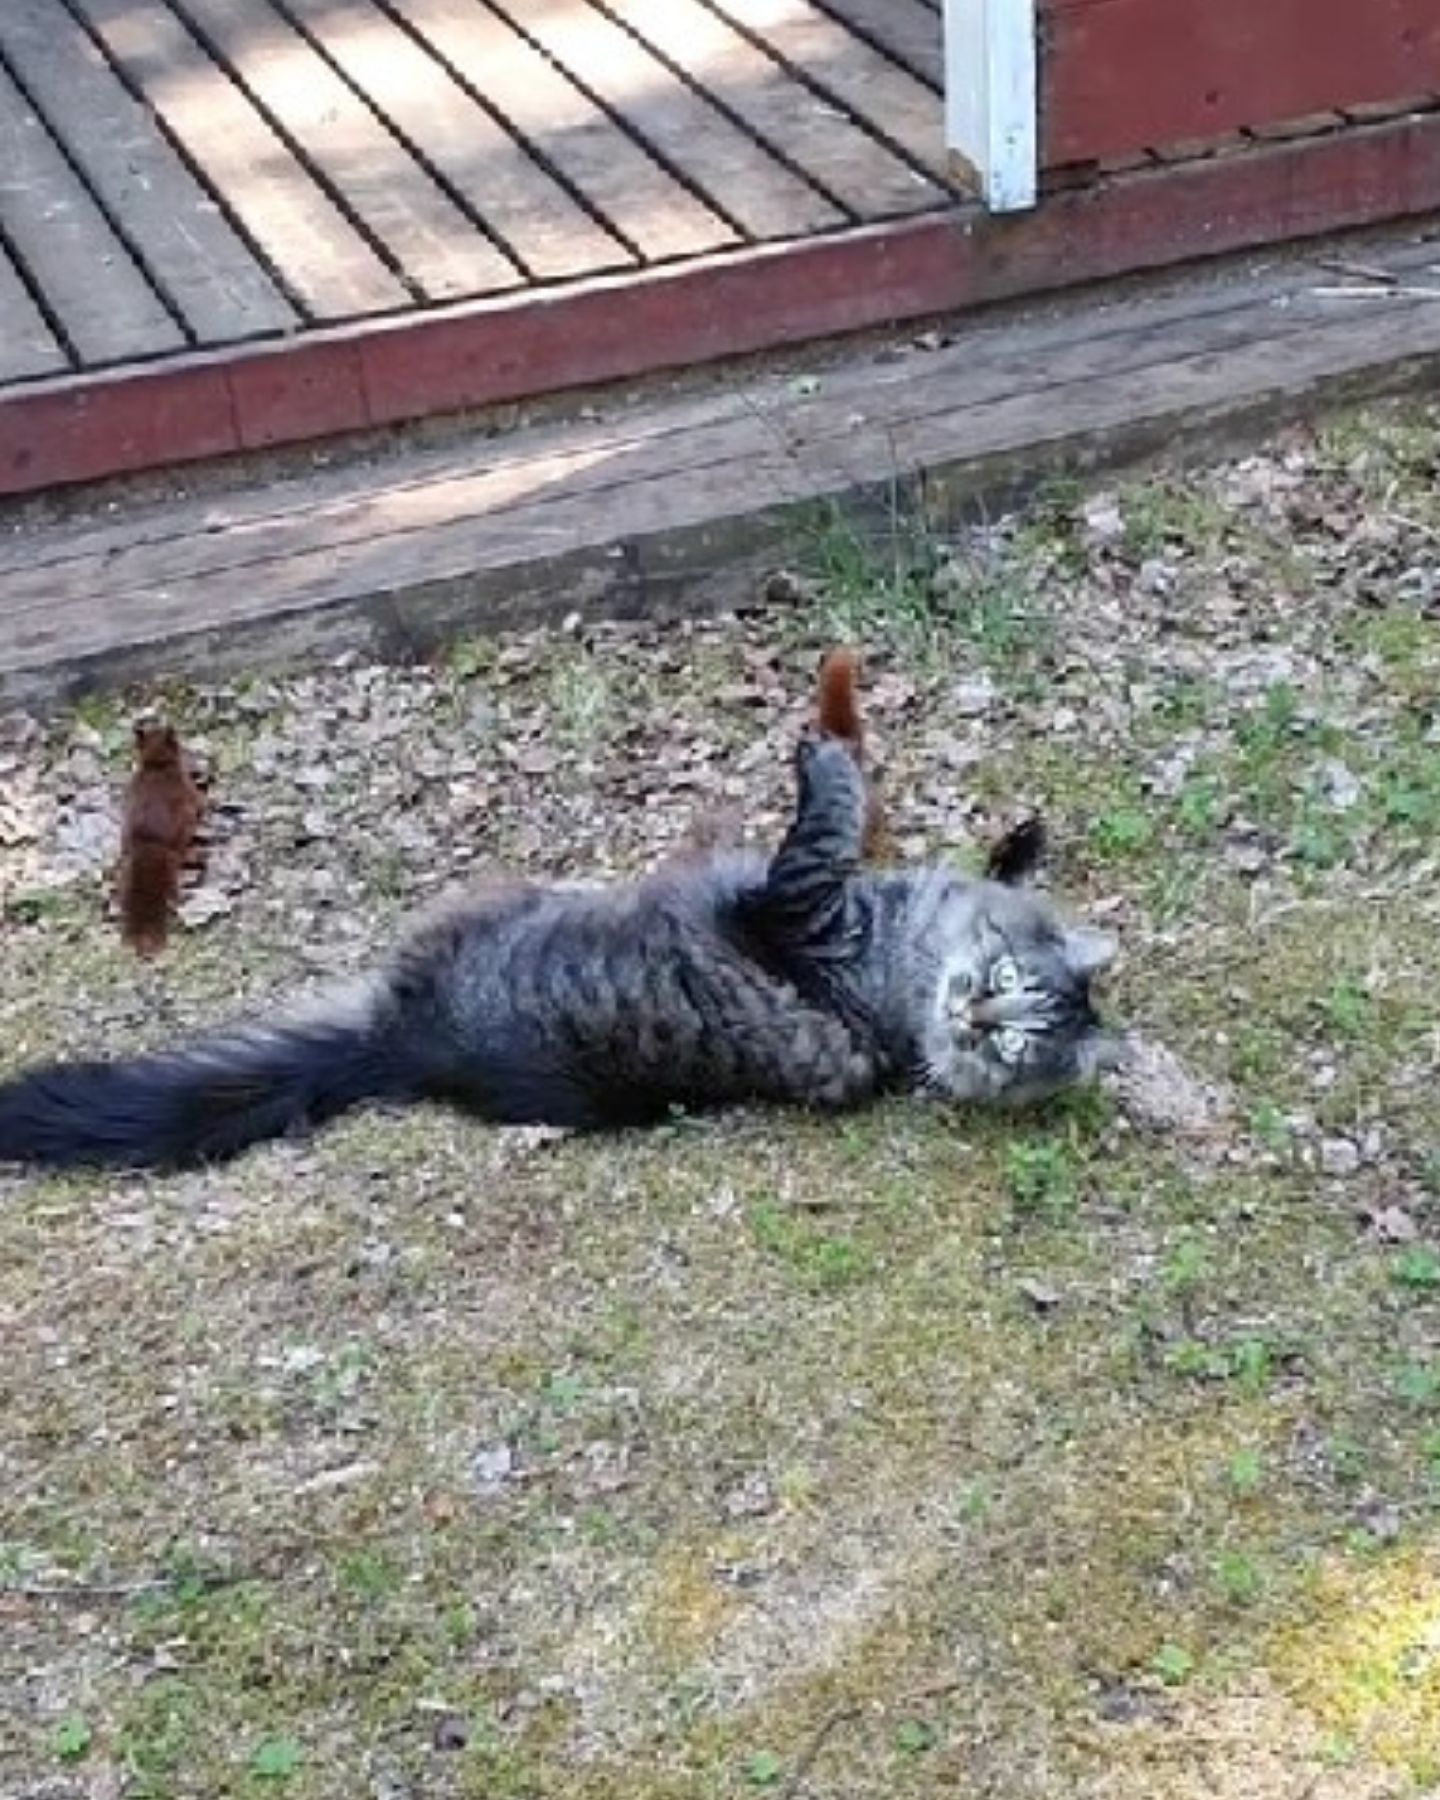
pixel 325 262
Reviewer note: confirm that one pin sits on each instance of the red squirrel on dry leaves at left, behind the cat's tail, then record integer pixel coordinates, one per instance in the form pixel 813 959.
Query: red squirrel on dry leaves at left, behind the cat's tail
pixel 163 816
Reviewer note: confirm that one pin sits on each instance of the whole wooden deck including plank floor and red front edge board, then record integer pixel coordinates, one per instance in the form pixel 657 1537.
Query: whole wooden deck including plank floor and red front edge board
pixel 238 224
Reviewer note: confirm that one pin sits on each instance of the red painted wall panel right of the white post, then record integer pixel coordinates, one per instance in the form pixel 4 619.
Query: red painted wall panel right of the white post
pixel 1119 76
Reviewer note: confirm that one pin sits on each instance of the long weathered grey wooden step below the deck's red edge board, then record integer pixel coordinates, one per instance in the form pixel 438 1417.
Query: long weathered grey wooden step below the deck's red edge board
pixel 665 507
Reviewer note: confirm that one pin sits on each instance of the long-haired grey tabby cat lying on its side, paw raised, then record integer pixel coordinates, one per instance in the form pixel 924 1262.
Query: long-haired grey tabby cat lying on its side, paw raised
pixel 796 978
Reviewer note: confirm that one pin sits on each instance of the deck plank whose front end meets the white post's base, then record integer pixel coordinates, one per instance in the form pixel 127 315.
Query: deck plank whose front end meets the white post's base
pixel 843 159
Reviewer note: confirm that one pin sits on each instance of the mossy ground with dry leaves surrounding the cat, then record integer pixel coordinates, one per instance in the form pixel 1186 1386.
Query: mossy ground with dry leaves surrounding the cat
pixel 1093 1453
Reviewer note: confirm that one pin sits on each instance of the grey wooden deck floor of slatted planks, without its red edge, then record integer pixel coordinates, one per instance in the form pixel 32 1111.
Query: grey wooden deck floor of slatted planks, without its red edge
pixel 184 175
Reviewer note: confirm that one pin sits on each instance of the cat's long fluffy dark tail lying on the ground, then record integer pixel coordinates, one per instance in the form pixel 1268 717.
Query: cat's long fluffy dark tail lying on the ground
pixel 208 1101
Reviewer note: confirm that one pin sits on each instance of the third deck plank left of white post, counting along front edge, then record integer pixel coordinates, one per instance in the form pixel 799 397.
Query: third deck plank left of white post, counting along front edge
pixel 656 213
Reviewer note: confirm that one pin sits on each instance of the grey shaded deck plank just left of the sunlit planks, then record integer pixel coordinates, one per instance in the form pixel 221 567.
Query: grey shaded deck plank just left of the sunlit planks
pixel 192 251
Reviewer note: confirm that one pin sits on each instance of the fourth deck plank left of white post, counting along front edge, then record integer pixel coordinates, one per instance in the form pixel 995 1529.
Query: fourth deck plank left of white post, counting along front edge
pixel 534 215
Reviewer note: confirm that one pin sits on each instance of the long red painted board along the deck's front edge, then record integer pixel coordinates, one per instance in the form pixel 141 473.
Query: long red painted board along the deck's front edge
pixel 379 373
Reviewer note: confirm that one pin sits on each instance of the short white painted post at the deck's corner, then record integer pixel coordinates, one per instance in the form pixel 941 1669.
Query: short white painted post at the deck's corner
pixel 991 125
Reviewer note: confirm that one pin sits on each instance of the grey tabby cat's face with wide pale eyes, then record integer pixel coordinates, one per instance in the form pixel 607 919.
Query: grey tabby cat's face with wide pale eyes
pixel 1012 1018
